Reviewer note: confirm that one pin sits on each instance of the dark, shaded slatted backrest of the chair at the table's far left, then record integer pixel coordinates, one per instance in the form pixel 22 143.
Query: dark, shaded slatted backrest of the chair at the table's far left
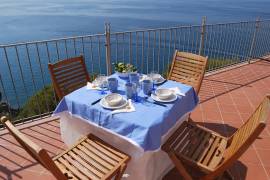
pixel 68 75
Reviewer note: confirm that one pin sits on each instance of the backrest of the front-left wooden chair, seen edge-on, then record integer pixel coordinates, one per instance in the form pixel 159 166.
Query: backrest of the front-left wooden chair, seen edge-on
pixel 38 153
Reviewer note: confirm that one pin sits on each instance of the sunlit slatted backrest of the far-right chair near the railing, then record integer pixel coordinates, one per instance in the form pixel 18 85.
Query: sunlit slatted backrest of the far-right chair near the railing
pixel 188 68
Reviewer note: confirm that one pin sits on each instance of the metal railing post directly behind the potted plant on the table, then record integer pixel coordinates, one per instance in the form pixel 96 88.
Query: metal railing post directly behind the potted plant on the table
pixel 108 48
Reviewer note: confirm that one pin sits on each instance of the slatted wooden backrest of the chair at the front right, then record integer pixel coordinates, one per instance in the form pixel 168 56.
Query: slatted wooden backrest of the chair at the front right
pixel 239 142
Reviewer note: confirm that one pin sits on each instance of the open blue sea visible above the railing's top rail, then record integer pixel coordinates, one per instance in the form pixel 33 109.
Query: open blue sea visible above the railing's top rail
pixel 46 19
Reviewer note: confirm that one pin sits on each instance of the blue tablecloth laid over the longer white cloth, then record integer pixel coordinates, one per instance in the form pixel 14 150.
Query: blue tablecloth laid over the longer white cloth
pixel 145 126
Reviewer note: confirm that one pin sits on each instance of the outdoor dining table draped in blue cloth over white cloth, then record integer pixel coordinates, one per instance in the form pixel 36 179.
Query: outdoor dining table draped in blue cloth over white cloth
pixel 139 134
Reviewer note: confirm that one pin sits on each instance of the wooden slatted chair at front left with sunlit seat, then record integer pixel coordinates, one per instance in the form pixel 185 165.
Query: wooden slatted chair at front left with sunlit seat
pixel 90 158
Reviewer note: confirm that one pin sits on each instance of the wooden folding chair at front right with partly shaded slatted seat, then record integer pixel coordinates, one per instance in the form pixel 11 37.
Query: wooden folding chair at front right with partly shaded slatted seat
pixel 194 146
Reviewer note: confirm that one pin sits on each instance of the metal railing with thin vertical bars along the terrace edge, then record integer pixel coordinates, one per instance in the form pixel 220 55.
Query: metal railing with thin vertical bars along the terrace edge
pixel 24 72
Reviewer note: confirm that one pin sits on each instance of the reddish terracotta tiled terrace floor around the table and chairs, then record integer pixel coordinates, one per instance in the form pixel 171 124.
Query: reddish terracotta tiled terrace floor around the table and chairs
pixel 227 99
